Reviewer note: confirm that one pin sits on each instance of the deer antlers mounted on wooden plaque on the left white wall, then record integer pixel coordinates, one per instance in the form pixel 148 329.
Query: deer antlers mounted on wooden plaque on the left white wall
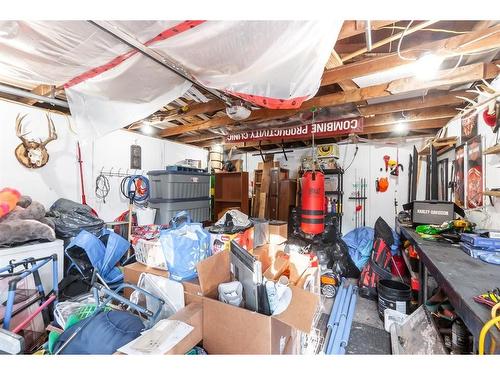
pixel 30 153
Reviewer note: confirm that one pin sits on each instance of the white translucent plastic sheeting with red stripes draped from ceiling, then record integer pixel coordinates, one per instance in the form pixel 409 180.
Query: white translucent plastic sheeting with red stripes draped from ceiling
pixel 276 64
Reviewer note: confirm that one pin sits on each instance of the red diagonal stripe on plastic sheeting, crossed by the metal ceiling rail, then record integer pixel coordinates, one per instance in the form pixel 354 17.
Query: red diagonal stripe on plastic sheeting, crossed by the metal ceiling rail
pixel 168 33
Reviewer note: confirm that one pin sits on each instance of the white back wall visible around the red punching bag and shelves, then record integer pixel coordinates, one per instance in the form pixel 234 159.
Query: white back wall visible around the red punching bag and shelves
pixel 367 164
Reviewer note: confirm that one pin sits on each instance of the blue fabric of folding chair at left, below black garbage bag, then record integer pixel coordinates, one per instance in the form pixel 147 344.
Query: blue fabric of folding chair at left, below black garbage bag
pixel 103 258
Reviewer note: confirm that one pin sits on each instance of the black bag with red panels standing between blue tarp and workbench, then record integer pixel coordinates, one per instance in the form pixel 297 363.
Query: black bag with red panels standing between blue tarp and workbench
pixel 378 267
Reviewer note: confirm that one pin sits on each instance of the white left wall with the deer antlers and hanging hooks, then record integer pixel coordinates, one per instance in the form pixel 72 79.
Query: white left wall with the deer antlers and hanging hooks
pixel 60 177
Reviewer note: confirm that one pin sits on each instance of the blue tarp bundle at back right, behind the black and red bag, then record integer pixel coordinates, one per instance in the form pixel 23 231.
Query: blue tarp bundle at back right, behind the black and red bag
pixel 360 243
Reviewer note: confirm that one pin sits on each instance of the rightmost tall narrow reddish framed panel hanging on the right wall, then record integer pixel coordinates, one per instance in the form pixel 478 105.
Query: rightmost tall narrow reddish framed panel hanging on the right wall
pixel 475 172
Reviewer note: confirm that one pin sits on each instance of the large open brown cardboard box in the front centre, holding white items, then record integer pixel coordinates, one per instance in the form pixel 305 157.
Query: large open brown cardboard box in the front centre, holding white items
pixel 233 330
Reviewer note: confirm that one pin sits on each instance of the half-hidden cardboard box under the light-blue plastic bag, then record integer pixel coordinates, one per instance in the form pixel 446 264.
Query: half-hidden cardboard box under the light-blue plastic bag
pixel 131 273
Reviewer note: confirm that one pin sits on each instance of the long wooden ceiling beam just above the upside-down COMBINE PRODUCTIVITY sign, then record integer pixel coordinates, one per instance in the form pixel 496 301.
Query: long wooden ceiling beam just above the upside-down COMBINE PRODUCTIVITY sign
pixel 465 74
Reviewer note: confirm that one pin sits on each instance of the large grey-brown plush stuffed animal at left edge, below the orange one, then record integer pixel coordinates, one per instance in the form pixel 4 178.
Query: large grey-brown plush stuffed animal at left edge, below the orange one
pixel 25 222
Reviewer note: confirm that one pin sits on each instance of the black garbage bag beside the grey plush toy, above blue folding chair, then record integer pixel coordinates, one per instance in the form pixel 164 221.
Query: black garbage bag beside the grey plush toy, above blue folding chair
pixel 71 217
